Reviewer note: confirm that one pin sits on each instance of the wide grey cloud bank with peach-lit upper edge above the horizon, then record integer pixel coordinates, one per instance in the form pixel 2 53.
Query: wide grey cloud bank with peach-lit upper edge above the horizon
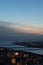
pixel 10 32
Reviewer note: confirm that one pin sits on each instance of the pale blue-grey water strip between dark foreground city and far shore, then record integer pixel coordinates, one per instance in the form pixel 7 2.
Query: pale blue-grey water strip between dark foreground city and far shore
pixel 23 48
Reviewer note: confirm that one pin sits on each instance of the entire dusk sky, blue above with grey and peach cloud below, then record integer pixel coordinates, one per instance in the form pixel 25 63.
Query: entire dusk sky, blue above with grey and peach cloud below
pixel 21 19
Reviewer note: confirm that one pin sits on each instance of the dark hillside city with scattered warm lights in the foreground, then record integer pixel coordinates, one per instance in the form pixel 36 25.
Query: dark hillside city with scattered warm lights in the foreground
pixel 9 56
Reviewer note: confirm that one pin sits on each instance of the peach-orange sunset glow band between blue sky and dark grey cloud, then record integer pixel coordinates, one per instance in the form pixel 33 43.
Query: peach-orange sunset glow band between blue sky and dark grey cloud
pixel 27 29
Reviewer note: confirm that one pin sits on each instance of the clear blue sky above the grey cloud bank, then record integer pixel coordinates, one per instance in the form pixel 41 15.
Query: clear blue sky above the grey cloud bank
pixel 26 12
